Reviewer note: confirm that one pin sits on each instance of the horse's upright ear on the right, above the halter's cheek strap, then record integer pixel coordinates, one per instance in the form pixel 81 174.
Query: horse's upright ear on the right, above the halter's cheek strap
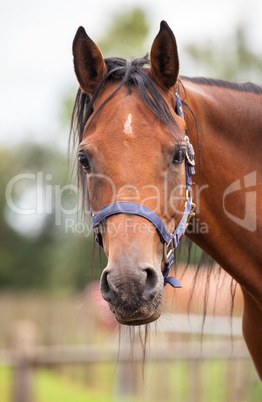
pixel 164 58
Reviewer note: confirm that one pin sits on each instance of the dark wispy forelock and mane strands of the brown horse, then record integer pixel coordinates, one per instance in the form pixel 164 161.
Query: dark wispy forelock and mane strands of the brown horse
pixel 132 73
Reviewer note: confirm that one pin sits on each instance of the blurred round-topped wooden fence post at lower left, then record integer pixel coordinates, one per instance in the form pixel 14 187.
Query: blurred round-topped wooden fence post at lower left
pixel 23 340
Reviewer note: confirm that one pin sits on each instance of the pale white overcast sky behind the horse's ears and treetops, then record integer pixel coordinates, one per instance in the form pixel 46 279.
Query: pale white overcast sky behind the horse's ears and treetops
pixel 36 68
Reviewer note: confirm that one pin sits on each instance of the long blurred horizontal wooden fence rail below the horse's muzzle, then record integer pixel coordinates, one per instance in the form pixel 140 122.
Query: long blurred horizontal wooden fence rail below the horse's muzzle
pixel 78 354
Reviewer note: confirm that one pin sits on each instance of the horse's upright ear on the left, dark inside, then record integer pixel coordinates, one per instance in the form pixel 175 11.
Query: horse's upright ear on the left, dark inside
pixel 89 64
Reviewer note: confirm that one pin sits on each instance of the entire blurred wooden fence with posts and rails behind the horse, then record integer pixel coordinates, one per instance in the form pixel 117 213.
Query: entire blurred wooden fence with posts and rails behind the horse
pixel 25 356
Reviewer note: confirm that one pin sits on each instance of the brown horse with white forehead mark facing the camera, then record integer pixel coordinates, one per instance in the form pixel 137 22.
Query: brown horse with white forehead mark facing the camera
pixel 132 149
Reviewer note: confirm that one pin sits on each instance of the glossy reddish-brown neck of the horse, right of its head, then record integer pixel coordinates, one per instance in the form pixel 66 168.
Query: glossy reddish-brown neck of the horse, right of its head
pixel 228 169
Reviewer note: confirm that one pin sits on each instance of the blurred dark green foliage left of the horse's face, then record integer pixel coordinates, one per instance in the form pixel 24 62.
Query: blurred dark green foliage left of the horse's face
pixel 42 255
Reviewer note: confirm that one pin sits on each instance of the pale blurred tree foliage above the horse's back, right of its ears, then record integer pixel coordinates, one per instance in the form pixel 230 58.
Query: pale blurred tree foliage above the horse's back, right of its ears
pixel 231 59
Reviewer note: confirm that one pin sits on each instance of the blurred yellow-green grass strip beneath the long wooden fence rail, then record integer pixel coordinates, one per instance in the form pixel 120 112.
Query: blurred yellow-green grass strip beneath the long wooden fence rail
pixel 213 381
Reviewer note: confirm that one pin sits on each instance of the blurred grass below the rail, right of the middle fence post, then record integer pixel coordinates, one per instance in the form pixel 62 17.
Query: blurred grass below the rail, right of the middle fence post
pixel 212 381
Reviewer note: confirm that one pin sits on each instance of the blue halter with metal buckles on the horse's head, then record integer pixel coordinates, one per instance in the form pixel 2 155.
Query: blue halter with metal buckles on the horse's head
pixel 169 240
